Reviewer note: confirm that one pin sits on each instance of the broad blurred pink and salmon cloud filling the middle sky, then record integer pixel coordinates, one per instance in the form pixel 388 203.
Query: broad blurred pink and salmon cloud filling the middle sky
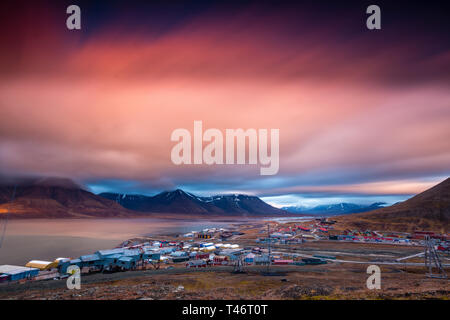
pixel 106 107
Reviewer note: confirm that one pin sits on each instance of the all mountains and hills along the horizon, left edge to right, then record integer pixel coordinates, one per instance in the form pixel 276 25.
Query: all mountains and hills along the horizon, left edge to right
pixel 62 198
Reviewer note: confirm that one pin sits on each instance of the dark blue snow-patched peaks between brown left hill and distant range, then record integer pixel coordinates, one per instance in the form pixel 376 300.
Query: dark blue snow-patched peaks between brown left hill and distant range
pixel 179 201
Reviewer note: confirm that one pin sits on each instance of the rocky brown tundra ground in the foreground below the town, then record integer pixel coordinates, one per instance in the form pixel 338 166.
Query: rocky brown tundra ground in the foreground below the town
pixel 309 282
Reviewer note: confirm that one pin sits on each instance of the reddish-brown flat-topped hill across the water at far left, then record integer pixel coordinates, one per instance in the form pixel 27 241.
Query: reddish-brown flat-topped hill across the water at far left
pixel 55 198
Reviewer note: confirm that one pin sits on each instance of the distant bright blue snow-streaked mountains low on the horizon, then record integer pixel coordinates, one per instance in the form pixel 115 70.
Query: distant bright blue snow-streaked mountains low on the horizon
pixel 334 209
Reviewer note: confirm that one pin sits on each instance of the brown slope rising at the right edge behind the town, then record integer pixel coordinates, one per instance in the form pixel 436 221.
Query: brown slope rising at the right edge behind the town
pixel 429 210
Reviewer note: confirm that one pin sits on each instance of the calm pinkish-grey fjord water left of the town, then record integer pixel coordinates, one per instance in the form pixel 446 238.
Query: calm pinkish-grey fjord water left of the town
pixel 47 239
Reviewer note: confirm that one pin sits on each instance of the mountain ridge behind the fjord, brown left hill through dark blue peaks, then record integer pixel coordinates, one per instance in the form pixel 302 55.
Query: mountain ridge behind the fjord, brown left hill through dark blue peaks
pixel 62 198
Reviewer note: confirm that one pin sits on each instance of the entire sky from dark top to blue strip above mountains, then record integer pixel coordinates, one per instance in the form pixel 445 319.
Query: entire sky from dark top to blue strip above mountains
pixel 363 114
